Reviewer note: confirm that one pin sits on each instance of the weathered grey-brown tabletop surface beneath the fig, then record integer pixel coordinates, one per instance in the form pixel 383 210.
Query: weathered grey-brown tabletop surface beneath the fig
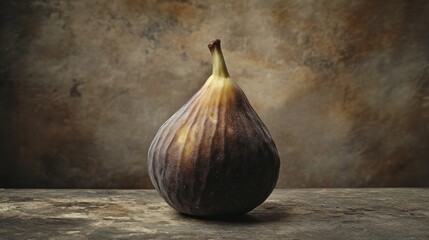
pixel 288 214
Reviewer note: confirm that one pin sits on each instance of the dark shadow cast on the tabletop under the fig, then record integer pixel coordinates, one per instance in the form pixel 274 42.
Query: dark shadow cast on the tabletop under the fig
pixel 266 212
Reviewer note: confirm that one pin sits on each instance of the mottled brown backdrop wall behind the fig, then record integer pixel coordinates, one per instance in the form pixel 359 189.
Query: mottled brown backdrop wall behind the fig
pixel 342 85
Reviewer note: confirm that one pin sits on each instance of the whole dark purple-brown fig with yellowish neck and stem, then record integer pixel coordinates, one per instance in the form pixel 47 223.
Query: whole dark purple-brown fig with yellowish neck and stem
pixel 214 156
